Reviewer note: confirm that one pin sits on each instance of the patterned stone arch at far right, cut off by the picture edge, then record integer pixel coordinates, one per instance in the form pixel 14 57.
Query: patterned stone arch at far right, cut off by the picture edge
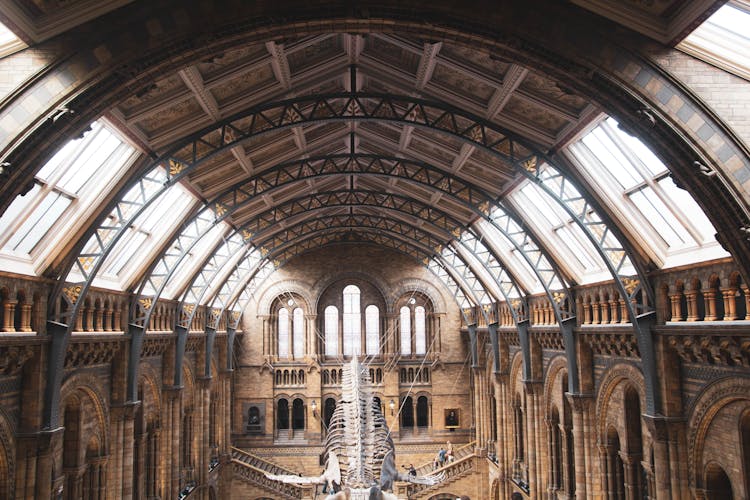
pixel 706 407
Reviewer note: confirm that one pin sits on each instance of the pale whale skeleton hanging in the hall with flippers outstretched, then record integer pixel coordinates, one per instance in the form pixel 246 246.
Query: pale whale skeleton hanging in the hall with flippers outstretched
pixel 359 448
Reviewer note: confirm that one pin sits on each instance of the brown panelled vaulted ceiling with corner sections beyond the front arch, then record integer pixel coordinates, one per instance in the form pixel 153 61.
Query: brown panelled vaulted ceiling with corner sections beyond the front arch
pixel 381 137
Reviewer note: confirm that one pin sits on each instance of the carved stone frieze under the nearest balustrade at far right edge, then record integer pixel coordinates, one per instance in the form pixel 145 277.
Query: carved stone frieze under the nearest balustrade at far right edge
pixel 714 350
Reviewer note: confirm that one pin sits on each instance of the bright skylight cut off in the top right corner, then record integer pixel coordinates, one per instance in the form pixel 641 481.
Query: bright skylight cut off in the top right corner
pixel 724 39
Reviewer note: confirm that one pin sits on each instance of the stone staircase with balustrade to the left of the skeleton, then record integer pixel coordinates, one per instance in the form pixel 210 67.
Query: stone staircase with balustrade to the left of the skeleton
pixel 253 469
